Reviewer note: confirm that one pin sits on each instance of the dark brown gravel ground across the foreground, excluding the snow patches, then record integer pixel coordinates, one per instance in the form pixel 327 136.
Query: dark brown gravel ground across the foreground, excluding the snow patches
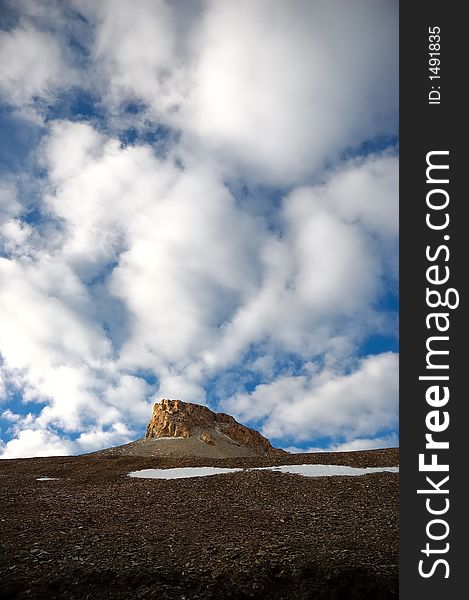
pixel 95 533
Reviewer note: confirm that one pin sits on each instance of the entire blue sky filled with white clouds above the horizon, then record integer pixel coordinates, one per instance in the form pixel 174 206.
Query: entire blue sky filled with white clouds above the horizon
pixel 198 200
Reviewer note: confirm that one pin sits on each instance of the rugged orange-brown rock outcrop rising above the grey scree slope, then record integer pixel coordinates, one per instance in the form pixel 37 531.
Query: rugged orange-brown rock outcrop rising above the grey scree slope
pixel 174 418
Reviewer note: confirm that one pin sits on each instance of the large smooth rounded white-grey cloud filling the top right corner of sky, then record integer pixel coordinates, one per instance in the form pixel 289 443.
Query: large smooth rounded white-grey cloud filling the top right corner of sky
pixel 280 89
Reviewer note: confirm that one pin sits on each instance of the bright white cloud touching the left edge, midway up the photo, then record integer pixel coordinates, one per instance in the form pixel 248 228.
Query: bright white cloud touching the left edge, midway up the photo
pixel 56 328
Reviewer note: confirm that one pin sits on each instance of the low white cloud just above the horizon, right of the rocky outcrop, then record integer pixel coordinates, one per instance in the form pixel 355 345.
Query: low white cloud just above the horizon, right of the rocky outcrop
pixel 354 405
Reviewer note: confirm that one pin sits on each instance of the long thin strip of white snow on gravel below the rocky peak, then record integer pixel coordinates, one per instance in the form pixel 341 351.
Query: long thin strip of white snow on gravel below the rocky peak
pixel 305 470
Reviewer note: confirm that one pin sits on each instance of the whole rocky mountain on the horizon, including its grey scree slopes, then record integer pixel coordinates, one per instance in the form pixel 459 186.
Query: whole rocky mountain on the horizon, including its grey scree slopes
pixel 182 429
